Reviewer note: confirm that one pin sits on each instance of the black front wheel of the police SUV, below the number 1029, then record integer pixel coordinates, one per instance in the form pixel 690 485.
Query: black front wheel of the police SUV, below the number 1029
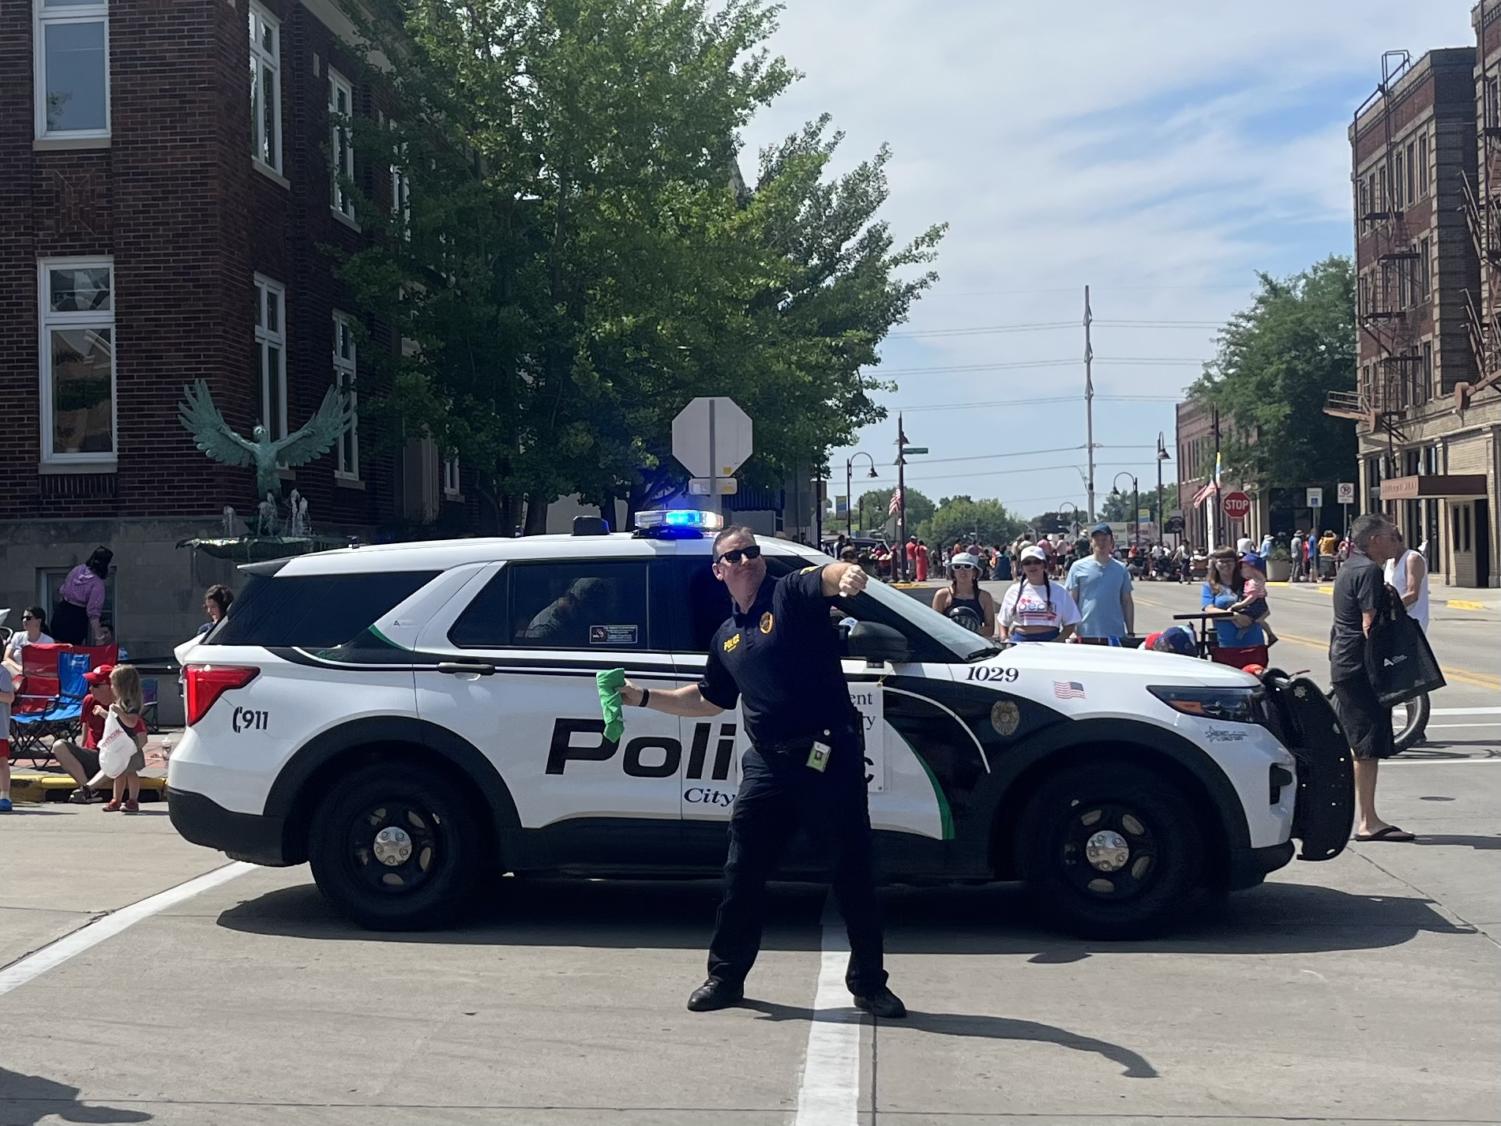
pixel 1111 851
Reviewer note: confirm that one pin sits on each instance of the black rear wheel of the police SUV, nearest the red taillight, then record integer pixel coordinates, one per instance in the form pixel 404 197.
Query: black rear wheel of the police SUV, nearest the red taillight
pixel 396 849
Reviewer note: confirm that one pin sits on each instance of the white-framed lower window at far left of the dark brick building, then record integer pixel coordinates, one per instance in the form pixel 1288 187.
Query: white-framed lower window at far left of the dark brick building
pixel 77 360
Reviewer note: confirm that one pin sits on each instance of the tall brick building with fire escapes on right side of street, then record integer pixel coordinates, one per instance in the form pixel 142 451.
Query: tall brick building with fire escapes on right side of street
pixel 1425 409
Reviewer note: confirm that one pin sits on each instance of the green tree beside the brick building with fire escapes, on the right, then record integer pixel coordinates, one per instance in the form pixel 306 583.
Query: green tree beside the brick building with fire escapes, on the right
pixel 1277 363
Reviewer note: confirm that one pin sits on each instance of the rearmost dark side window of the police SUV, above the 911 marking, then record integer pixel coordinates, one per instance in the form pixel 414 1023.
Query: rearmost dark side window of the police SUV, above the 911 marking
pixel 313 612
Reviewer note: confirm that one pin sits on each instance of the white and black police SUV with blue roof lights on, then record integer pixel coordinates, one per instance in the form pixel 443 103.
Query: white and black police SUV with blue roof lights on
pixel 409 717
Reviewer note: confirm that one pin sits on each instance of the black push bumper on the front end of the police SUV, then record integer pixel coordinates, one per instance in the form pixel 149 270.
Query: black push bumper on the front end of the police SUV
pixel 1326 802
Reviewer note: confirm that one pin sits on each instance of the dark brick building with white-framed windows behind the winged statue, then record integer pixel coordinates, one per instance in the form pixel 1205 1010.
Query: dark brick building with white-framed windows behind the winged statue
pixel 167 196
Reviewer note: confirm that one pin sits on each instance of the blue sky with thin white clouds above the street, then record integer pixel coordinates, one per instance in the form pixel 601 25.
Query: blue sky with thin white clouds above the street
pixel 1163 154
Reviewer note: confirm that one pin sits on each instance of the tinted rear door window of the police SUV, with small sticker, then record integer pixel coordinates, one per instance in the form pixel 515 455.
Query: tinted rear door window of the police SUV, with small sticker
pixel 595 606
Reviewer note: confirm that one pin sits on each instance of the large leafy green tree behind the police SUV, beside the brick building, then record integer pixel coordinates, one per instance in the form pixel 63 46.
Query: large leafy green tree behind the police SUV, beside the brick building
pixel 582 257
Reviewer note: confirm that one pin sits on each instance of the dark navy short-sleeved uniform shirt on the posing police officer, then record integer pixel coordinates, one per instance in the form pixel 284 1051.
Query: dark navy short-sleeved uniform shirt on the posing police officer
pixel 781 661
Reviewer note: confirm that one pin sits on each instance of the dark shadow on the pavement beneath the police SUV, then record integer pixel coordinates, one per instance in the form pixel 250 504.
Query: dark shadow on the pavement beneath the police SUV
pixel 996 920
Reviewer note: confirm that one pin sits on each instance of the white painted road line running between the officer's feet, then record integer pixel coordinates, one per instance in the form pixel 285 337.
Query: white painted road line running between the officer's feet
pixel 829 1094
